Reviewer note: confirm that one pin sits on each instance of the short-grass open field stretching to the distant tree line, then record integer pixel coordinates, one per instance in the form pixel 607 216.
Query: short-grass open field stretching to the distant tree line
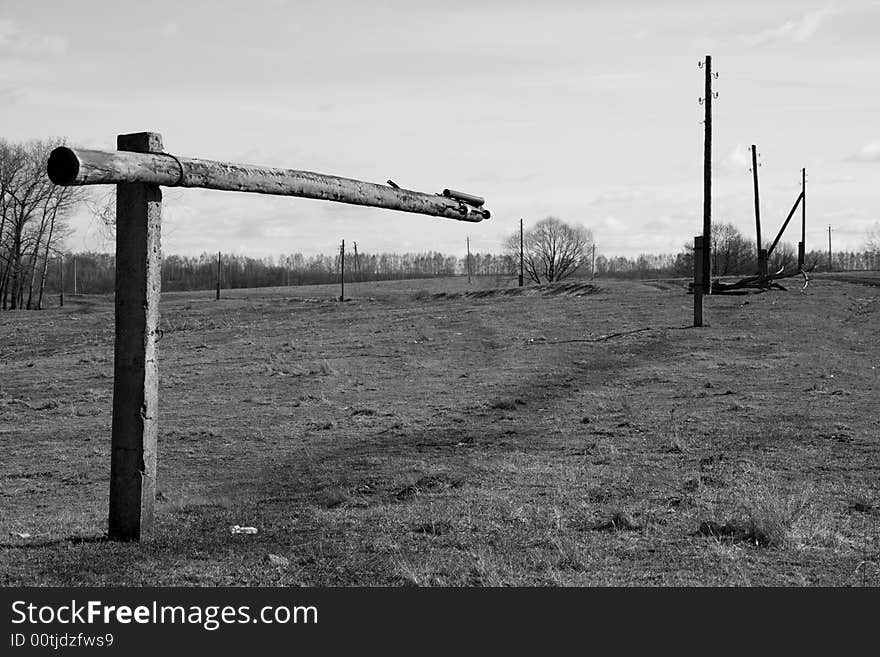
pixel 435 433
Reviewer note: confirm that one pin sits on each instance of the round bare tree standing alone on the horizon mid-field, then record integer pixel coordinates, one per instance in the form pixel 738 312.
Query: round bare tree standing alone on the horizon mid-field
pixel 552 249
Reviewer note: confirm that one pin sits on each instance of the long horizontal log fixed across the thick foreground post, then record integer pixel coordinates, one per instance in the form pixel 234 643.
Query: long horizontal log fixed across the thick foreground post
pixel 69 166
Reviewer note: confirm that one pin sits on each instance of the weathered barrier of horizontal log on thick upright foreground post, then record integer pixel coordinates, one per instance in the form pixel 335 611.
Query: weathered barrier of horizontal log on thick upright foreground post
pixel 138 168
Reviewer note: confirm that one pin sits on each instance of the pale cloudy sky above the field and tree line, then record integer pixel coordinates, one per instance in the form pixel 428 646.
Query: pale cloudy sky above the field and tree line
pixel 578 109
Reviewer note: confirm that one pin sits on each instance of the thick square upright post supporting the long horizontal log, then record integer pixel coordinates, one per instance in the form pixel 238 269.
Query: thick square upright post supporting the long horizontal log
pixel 135 384
